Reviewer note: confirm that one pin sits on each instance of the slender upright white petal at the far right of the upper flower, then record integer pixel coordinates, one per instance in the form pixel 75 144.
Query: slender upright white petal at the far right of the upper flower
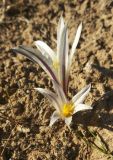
pixel 75 43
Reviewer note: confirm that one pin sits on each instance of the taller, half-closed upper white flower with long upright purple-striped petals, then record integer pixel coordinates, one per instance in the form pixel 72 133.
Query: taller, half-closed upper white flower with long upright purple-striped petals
pixel 56 65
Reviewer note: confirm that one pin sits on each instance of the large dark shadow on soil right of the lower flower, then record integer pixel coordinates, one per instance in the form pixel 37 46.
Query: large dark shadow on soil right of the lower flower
pixel 101 116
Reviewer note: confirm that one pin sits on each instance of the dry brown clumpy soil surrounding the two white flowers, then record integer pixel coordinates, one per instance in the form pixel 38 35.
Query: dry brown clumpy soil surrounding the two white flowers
pixel 24 113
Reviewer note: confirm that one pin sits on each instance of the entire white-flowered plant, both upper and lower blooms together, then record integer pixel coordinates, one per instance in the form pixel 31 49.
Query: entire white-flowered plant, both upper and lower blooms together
pixel 57 66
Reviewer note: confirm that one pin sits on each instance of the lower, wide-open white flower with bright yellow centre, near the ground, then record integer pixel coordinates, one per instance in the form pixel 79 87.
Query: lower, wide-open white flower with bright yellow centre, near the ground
pixel 65 108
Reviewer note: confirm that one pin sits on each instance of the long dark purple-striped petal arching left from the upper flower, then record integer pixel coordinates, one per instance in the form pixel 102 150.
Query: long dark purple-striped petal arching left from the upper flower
pixel 37 57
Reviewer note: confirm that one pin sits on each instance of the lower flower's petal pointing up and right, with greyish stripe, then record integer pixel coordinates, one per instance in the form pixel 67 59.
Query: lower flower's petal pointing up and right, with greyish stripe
pixel 81 95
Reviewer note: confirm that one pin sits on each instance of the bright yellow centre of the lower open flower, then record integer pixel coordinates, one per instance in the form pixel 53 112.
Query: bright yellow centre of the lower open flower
pixel 68 109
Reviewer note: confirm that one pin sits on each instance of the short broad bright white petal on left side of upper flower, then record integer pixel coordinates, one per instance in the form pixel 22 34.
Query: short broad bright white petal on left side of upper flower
pixel 45 50
